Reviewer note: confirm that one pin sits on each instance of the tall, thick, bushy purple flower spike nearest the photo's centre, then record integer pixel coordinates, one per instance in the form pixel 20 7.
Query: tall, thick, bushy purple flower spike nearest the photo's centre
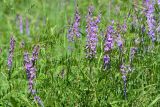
pixel 92 30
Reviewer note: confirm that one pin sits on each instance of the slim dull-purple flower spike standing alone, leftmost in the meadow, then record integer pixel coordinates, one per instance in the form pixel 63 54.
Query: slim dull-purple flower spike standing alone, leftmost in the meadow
pixel 11 51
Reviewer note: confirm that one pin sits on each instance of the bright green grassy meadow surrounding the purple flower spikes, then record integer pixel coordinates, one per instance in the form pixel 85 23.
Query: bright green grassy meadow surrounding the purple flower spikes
pixel 62 77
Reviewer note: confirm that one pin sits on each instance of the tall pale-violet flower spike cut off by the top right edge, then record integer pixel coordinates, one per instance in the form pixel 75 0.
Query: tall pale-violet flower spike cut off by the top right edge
pixel 150 19
